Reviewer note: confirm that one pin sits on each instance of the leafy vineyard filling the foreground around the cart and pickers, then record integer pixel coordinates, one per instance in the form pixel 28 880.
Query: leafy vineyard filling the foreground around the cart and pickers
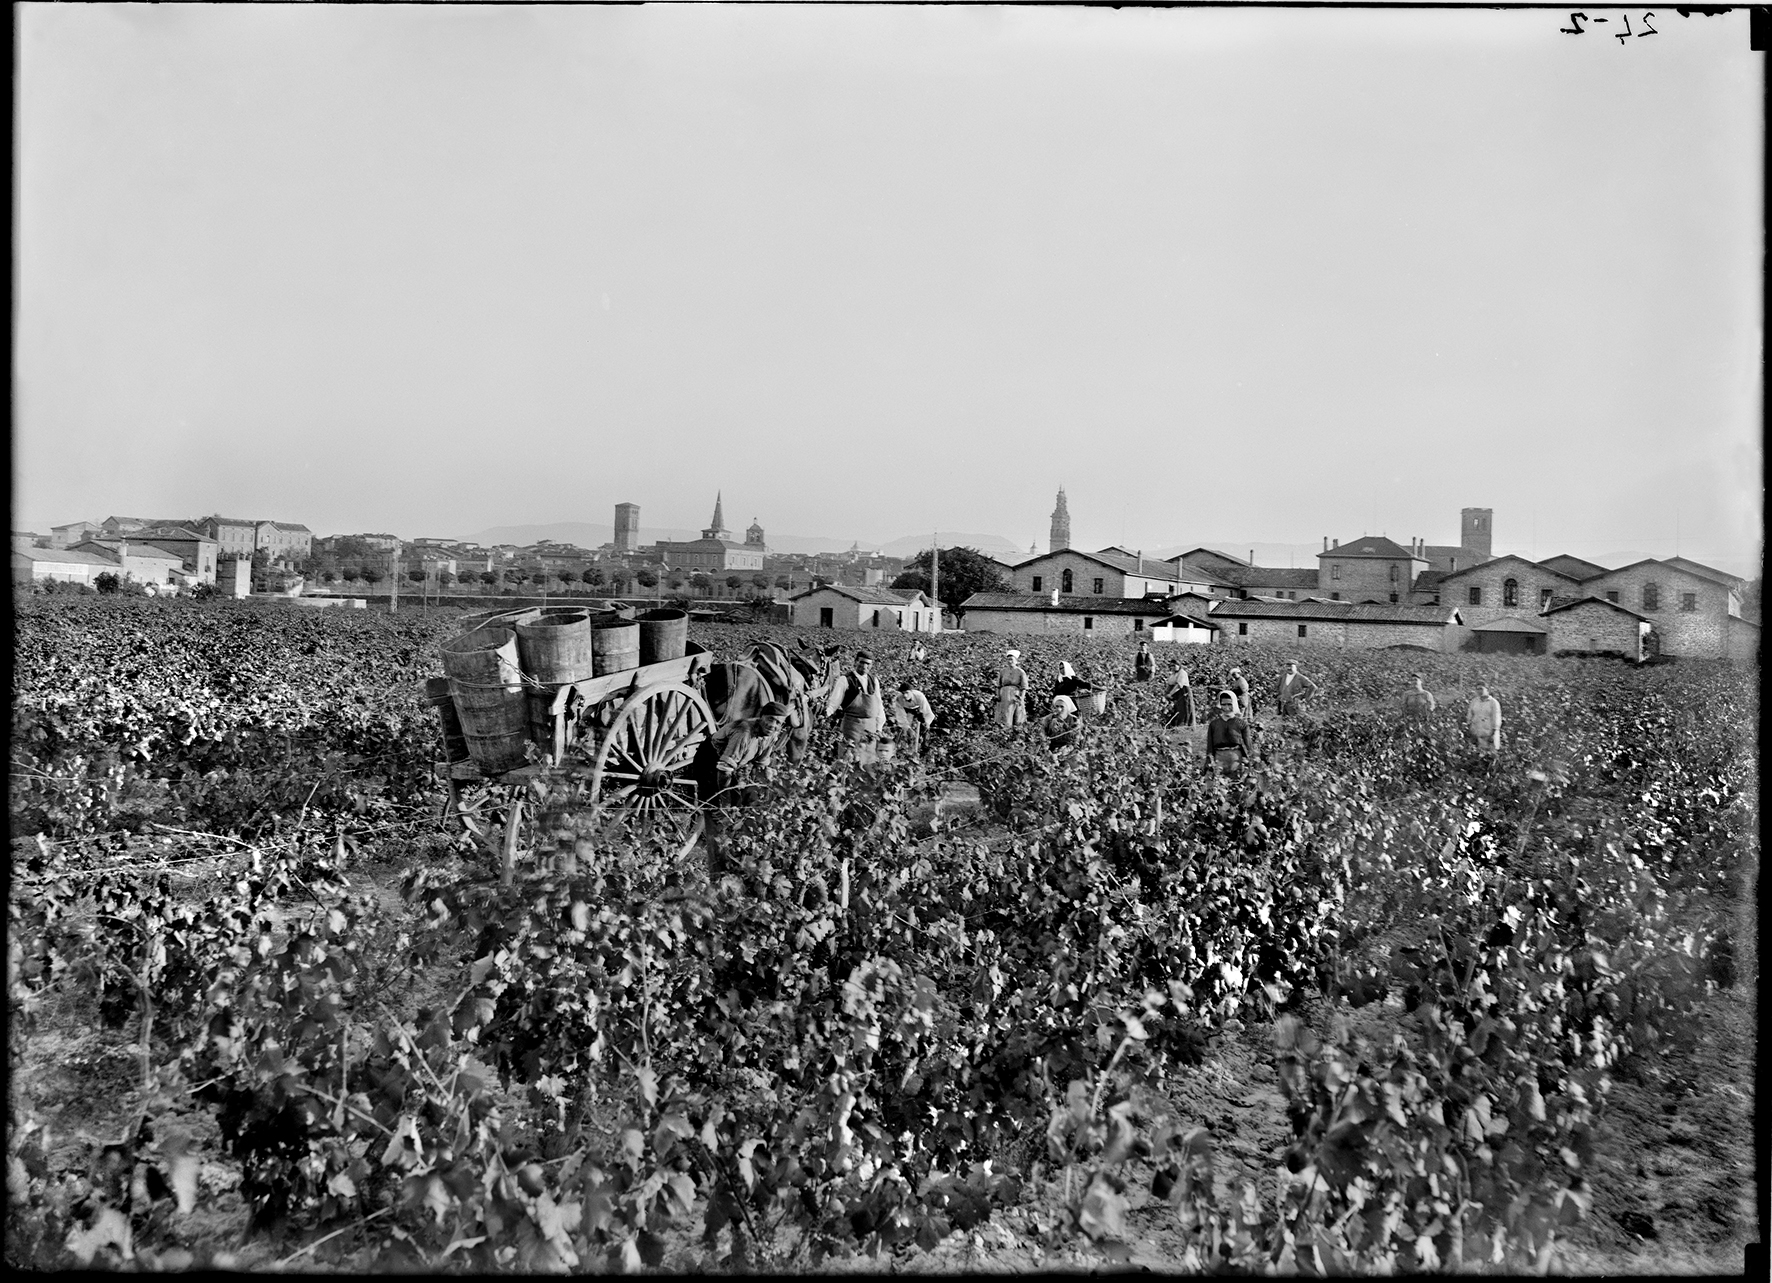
pixel 1372 1004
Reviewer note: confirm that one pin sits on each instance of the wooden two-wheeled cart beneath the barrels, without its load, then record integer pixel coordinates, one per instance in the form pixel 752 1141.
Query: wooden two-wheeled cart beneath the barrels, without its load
pixel 632 736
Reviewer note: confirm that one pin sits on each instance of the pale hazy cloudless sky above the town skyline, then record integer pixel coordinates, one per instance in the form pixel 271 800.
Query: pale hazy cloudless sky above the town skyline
pixel 1229 274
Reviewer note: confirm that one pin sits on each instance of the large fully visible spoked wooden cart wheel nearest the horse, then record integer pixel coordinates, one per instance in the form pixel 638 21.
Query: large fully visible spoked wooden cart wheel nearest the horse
pixel 641 777
